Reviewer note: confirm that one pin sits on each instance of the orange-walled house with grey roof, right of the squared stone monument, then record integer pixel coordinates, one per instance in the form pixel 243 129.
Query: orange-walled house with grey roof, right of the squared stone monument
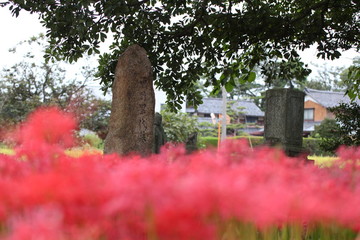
pixel 317 104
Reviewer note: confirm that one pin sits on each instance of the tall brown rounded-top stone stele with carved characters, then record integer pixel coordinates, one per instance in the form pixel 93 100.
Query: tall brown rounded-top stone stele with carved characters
pixel 131 122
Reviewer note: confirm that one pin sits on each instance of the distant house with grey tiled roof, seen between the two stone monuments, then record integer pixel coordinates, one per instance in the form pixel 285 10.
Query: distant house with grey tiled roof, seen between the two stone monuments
pixel 251 116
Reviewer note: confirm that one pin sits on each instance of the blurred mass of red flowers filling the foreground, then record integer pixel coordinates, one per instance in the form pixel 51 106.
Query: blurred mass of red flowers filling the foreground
pixel 232 193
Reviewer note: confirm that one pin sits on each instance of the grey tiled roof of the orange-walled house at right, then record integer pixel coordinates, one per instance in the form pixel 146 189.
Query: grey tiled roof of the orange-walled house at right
pixel 327 98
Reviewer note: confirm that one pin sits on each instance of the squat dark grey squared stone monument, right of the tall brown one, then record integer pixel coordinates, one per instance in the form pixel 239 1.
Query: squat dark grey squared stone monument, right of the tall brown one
pixel 284 118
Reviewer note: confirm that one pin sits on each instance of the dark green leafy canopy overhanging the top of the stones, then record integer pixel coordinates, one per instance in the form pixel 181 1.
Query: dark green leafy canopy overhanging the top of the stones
pixel 188 39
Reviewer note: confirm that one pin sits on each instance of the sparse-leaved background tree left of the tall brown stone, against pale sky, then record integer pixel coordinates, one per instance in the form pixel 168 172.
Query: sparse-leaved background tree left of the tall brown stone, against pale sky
pixel 32 83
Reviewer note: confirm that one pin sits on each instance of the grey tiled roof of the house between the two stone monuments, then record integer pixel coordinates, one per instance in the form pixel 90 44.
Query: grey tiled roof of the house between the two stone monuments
pixel 214 105
